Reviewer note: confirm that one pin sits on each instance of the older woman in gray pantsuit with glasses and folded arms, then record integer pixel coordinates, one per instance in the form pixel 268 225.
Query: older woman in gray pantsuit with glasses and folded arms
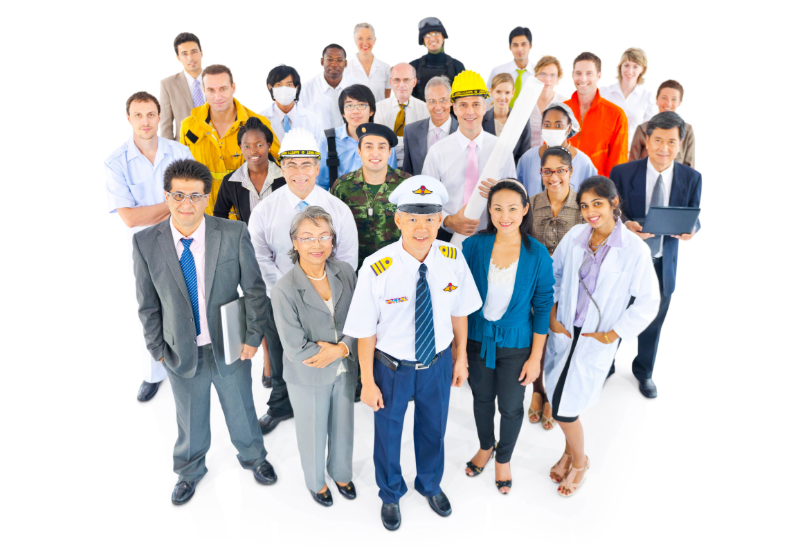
pixel 310 305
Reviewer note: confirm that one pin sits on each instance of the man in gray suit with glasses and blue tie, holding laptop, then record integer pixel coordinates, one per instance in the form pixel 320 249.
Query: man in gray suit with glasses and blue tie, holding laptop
pixel 186 268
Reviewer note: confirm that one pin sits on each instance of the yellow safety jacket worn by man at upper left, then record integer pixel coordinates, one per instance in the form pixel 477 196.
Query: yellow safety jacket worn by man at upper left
pixel 221 155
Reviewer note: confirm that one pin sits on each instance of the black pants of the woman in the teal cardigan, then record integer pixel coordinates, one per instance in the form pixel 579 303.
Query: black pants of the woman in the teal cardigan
pixel 501 383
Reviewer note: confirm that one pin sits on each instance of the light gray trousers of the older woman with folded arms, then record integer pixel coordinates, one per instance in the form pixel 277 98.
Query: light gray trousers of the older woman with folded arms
pixel 323 417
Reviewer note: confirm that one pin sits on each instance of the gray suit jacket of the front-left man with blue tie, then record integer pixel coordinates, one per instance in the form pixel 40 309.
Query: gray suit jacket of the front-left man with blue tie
pixel 165 309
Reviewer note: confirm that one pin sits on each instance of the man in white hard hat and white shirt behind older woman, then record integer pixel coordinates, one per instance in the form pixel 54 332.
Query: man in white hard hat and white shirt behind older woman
pixel 269 226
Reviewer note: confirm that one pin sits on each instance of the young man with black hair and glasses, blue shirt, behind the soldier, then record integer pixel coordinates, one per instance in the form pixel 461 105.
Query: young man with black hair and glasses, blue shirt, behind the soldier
pixel 340 148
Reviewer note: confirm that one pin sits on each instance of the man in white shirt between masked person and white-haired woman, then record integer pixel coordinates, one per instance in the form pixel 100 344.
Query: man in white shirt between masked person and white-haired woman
pixel 321 94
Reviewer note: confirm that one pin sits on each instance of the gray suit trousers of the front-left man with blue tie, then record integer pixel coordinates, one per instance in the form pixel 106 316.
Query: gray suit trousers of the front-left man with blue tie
pixel 192 404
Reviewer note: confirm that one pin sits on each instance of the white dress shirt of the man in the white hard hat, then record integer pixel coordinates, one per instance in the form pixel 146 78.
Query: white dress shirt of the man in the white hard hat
pixel 269 230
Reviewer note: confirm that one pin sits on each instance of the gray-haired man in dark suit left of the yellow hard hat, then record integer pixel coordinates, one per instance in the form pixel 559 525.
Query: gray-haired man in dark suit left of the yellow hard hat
pixel 419 136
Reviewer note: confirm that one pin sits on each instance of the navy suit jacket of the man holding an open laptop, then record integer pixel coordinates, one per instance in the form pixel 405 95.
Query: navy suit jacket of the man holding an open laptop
pixel 631 181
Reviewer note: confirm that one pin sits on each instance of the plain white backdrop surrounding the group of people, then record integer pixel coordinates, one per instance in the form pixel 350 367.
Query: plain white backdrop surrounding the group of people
pixel 709 461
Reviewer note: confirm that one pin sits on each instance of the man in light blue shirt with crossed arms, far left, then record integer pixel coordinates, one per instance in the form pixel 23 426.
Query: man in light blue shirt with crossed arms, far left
pixel 134 183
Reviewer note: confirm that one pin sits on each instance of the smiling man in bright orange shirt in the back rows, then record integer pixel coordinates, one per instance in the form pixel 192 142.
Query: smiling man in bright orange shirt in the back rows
pixel 604 127
